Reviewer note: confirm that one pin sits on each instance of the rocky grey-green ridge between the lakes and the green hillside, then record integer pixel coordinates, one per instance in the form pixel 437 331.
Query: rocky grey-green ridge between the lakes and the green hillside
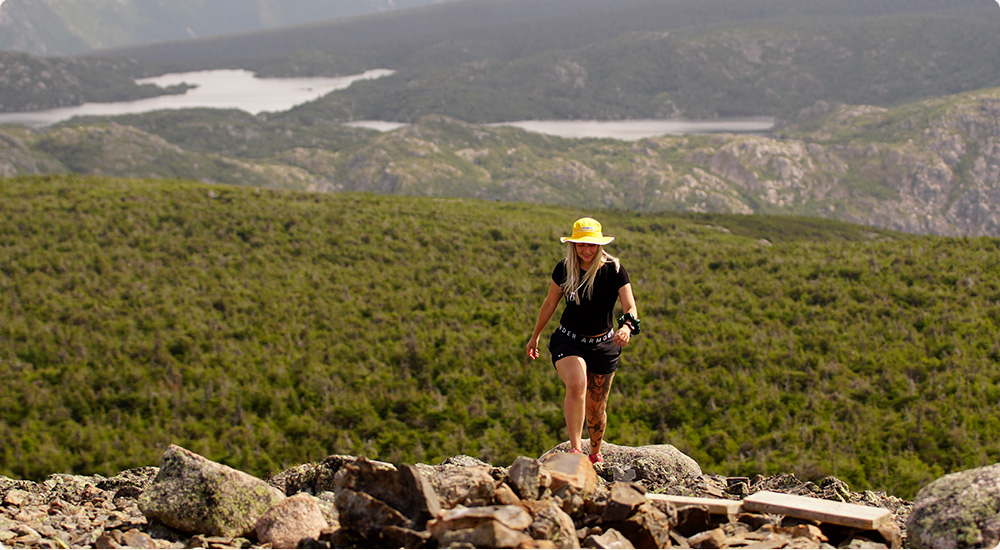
pixel 930 167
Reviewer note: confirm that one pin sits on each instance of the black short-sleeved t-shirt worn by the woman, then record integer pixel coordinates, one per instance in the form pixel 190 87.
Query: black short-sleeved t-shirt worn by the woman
pixel 592 317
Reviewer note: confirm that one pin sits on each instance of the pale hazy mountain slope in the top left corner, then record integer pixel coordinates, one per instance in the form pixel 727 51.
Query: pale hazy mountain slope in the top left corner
pixel 61 27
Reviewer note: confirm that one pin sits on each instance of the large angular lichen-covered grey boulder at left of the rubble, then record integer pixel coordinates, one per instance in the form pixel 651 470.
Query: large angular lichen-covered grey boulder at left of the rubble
pixel 197 496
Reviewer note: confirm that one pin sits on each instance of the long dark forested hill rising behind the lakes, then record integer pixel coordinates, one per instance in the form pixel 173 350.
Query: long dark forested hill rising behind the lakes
pixel 501 60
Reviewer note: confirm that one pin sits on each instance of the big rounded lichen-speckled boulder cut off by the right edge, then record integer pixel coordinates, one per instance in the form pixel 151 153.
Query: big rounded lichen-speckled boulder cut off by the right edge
pixel 960 510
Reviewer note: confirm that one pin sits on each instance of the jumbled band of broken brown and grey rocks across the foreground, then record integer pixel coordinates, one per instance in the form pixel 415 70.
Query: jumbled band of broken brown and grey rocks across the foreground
pixel 557 501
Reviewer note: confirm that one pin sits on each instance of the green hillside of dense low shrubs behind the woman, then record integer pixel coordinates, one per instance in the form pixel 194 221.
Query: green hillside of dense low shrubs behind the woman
pixel 269 328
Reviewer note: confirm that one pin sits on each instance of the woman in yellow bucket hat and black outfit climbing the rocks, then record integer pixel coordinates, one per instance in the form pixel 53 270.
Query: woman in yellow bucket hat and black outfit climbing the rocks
pixel 584 348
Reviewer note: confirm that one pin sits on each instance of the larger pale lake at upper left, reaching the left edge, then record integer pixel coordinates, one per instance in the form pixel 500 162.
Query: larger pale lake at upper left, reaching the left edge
pixel 217 89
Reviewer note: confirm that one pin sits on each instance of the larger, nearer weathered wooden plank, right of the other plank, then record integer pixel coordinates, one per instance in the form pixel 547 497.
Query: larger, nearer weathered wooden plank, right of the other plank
pixel 817 509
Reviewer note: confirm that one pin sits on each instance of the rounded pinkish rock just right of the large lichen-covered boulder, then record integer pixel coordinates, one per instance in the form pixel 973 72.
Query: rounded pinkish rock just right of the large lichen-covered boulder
pixel 291 520
